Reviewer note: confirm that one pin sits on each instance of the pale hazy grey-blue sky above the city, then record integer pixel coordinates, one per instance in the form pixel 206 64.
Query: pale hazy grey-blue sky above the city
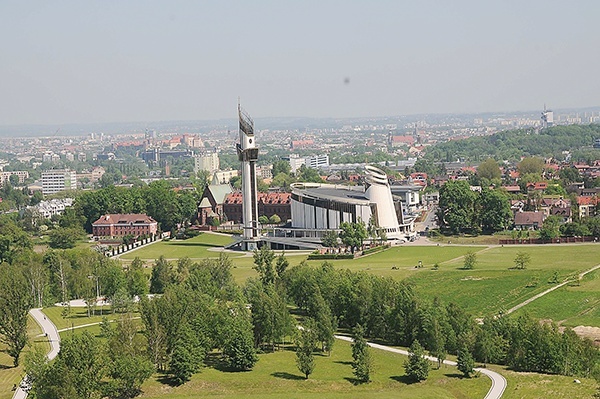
pixel 113 61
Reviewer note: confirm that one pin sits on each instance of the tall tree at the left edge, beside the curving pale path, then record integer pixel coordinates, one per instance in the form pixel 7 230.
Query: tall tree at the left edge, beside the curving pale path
pixel 15 302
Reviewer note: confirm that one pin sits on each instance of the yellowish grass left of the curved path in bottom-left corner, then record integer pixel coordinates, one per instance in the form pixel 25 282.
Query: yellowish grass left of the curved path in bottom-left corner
pixel 10 375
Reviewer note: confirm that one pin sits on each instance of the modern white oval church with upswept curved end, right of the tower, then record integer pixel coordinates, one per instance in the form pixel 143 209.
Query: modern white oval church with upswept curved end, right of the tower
pixel 319 207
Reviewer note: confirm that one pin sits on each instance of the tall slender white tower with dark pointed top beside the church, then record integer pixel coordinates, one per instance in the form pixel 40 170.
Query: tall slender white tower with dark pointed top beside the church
pixel 248 154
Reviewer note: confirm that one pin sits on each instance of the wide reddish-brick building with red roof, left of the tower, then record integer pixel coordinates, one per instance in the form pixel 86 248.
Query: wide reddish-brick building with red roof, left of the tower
pixel 119 225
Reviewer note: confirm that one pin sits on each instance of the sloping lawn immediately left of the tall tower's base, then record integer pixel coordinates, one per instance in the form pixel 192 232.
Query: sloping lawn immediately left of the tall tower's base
pixel 194 248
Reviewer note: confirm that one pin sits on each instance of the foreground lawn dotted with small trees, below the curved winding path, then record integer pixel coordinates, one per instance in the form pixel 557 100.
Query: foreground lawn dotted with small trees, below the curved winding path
pixel 276 376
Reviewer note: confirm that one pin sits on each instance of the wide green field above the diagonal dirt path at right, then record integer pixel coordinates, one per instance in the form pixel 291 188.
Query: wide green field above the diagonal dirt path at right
pixel 494 285
